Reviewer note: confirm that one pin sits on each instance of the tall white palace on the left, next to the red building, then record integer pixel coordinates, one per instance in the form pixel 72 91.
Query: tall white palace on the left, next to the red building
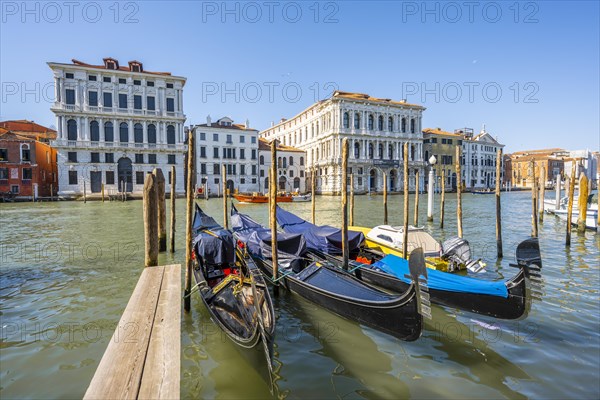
pixel 116 124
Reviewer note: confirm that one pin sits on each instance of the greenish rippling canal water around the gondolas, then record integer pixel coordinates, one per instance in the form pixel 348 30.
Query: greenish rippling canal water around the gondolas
pixel 68 269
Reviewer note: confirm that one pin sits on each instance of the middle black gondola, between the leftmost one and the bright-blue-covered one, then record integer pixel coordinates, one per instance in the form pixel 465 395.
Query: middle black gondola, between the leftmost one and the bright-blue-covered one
pixel 327 285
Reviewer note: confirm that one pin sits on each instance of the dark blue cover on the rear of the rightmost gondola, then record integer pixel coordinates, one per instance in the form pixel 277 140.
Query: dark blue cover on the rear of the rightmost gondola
pixel 323 238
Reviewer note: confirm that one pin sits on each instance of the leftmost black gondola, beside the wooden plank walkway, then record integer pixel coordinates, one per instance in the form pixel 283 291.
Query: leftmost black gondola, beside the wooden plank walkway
pixel 230 286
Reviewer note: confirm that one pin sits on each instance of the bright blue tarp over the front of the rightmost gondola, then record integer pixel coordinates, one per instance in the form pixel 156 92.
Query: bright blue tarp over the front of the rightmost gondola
pixel 439 280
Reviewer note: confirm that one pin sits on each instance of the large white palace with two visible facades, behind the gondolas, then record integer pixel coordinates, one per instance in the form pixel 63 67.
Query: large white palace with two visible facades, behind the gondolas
pixel 376 128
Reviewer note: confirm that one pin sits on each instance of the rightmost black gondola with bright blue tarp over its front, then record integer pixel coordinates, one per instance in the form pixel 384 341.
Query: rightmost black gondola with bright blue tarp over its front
pixel 499 299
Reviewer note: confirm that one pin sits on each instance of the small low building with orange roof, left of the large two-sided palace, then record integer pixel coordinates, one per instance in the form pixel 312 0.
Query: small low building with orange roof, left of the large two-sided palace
pixel 291 167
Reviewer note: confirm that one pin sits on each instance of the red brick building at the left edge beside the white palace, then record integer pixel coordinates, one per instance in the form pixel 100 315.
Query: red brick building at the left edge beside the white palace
pixel 27 166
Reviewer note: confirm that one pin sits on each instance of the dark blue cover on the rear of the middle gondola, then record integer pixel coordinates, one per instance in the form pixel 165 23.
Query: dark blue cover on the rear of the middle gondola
pixel 257 238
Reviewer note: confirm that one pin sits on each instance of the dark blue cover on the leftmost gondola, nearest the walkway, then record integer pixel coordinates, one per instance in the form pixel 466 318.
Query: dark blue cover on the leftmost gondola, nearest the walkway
pixel 212 243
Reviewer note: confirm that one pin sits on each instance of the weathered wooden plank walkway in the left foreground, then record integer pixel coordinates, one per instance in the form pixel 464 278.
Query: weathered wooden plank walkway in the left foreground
pixel 142 359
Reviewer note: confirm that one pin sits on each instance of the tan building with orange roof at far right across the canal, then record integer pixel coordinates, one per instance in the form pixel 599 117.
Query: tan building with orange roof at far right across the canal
pixel 521 162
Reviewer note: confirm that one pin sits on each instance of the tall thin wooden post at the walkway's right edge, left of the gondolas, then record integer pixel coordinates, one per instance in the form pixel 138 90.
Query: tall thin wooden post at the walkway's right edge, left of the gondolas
pixel 189 220
